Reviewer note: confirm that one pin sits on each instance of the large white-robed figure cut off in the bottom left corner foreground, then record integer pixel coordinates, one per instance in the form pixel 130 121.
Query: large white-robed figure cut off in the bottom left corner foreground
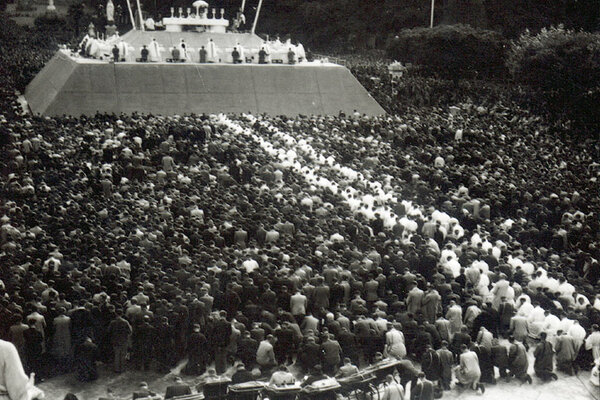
pixel 14 384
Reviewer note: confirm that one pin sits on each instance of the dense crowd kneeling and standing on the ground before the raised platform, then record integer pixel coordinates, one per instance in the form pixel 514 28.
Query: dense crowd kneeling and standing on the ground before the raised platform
pixel 458 241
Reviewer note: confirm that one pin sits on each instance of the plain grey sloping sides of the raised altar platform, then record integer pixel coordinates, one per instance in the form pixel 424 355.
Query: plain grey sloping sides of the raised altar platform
pixel 75 86
